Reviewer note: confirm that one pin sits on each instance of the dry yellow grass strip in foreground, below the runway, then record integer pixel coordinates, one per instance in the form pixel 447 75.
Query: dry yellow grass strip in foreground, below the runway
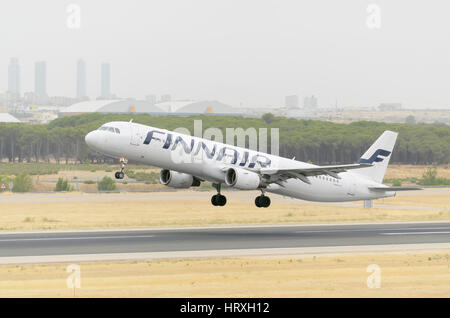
pixel 402 275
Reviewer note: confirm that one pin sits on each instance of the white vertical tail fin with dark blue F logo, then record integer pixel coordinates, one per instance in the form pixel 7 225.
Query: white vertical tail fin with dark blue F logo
pixel 378 155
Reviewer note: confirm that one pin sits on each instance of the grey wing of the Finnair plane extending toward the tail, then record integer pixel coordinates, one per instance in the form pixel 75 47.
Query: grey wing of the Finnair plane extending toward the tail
pixel 304 173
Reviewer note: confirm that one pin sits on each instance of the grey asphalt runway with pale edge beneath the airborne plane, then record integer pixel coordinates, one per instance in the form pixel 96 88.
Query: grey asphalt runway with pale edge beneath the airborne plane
pixel 94 245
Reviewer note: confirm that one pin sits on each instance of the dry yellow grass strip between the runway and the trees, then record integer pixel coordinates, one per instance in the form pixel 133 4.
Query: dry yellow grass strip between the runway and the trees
pixel 185 208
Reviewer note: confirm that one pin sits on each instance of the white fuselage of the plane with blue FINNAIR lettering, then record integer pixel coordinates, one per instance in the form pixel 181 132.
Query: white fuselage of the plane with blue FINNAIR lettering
pixel 195 156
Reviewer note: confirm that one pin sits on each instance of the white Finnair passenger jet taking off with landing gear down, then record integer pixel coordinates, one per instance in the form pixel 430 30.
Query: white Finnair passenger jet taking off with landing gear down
pixel 187 161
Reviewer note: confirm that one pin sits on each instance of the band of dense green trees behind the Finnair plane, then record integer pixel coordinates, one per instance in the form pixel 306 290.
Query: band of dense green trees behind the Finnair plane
pixel 321 142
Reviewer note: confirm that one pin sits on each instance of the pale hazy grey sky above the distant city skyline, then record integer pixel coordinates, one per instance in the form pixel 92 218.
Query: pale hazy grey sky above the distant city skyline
pixel 237 51
